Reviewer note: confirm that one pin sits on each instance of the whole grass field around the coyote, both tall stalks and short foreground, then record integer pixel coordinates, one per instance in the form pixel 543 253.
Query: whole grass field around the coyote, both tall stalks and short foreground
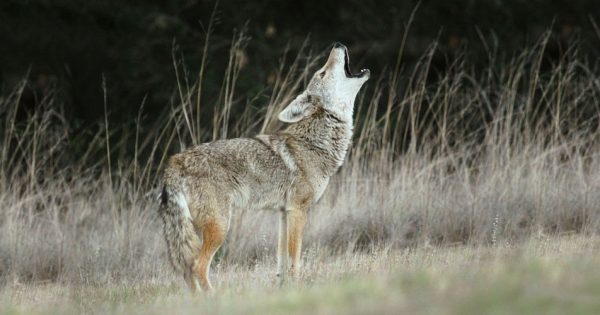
pixel 465 192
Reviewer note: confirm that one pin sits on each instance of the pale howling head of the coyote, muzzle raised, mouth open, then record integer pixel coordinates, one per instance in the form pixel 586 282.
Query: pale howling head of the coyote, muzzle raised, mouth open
pixel 333 86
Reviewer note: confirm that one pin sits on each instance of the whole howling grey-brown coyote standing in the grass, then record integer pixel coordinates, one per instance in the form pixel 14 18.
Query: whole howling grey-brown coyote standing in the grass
pixel 287 171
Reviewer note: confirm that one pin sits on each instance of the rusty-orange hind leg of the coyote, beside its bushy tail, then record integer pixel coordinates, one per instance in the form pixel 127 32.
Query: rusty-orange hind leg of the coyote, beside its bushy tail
pixel 213 235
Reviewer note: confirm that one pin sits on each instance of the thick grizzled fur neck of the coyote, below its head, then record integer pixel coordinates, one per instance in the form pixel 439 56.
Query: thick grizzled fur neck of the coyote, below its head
pixel 325 138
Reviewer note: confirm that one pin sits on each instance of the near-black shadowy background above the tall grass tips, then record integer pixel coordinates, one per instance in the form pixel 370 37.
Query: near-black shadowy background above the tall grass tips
pixel 67 46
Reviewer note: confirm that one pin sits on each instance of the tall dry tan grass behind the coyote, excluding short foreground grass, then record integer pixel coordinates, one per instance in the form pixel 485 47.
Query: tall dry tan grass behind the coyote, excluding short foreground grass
pixel 469 155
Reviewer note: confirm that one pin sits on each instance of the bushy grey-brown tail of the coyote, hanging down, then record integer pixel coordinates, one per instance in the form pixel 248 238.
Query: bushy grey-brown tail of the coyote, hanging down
pixel 183 242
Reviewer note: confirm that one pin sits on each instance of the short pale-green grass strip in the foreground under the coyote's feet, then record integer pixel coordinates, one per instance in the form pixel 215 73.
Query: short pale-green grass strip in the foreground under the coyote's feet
pixel 545 275
